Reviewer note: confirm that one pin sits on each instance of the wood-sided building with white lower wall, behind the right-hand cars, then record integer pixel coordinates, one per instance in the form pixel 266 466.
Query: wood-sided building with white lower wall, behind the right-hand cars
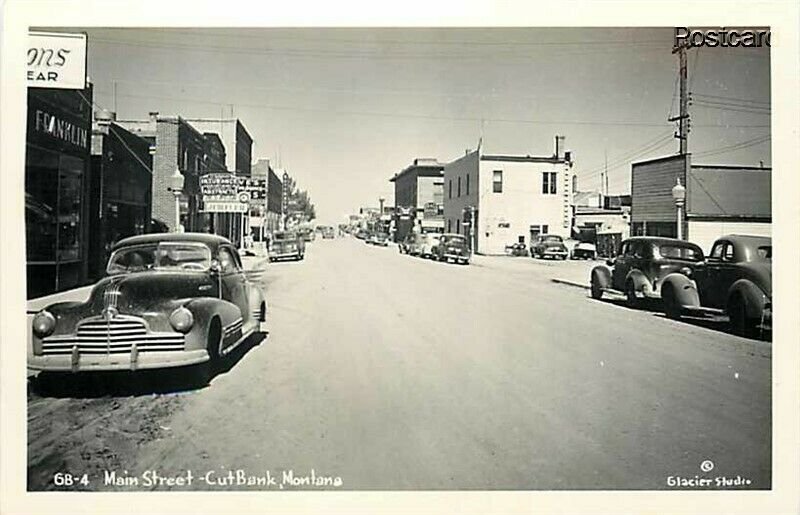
pixel 720 199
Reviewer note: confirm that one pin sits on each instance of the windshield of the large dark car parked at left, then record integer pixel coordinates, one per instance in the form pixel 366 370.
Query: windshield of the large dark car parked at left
pixel 160 256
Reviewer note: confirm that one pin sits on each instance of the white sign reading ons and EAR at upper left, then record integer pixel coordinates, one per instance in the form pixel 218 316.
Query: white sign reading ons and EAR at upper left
pixel 56 60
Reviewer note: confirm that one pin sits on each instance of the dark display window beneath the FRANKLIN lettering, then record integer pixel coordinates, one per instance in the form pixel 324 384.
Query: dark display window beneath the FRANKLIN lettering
pixel 53 187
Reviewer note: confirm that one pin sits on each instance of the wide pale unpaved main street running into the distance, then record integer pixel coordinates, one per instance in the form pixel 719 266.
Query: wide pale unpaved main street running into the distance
pixel 390 372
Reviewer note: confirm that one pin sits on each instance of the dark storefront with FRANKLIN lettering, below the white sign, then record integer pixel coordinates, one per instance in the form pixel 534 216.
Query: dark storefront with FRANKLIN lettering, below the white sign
pixel 56 189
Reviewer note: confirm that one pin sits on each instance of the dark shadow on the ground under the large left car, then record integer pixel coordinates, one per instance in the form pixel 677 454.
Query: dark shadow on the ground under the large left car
pixel 125 383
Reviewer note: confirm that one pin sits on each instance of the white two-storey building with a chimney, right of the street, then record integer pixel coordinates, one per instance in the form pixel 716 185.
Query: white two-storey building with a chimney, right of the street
pixel 513 198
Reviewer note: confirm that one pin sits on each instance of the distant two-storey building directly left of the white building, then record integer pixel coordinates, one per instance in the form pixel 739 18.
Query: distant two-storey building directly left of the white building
pixel 419 198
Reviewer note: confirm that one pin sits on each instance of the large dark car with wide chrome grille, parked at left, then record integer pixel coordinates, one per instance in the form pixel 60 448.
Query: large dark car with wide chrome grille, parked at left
pixel 167 300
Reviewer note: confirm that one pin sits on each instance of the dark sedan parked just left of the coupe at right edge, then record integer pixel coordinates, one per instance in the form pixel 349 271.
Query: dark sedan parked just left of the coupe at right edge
pixel 642 264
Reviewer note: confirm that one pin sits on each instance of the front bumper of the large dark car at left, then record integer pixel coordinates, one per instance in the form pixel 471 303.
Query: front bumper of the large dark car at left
pixel 76 362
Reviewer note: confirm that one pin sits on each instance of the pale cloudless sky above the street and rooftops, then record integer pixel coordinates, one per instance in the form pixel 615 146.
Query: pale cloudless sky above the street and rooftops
pixel 343 110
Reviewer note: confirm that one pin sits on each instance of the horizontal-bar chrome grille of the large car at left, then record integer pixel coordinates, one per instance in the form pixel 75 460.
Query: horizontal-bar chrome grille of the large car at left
pixel 115 336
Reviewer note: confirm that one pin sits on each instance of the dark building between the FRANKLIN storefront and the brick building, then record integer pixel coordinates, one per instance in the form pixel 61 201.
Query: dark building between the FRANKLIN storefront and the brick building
pixel 120 190
